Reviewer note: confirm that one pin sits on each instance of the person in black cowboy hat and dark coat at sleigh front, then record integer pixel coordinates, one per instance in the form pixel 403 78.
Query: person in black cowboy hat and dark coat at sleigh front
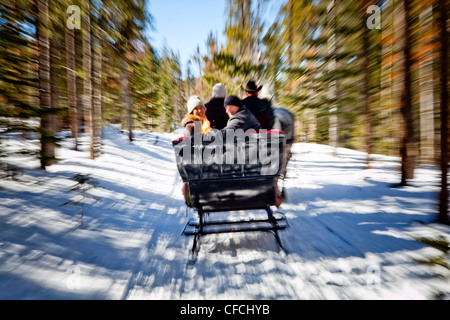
pixel 261 108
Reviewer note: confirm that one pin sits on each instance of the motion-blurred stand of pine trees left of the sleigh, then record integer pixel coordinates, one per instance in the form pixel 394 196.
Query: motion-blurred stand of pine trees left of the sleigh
pixel 80 63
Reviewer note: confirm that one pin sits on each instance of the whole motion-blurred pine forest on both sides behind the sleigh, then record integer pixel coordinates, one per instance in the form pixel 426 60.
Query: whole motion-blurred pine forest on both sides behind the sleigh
pixel 367 75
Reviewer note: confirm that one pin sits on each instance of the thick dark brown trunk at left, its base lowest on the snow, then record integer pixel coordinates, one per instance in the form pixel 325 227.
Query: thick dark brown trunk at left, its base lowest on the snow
pixel 47 153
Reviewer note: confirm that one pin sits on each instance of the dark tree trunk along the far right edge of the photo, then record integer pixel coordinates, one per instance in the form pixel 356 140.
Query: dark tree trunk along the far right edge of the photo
pixel 443 196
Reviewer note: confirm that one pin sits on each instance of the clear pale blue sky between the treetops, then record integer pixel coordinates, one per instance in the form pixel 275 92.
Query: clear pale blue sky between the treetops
pixel 182 25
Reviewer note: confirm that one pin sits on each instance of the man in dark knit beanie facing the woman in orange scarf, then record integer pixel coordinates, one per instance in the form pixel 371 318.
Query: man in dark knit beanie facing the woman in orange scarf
pixel 240 116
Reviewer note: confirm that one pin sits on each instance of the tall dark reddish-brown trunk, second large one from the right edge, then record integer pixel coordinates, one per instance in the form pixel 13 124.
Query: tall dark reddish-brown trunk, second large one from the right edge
pixel 407 147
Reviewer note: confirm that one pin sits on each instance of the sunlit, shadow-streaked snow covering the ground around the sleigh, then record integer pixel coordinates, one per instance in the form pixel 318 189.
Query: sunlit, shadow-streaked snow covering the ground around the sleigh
pixel 351 235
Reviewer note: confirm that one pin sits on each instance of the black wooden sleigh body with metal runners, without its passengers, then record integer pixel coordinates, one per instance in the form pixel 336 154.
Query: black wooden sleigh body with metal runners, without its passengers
pixel 232 171
